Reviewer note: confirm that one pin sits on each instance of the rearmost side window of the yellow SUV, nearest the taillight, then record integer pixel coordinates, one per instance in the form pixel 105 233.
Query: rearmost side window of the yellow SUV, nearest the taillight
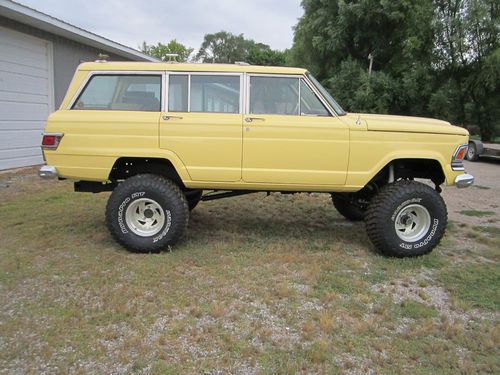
pixel 121 93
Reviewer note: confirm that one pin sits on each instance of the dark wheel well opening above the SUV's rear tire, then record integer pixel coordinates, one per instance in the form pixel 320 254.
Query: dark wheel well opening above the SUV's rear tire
pixel 126 167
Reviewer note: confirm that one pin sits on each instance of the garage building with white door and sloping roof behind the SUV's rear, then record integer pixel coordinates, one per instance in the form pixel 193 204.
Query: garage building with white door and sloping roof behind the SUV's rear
pixel 38 56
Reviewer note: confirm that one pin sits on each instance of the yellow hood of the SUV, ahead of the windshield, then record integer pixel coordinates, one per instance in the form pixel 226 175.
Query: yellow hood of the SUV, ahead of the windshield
pixel 407 124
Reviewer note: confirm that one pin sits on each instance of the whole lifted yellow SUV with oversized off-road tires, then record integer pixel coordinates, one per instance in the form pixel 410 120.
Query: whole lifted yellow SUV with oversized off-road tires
pixel 157 135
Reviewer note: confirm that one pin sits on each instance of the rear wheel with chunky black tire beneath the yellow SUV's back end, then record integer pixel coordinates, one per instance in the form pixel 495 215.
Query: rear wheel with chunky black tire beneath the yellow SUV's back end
pixel 147 213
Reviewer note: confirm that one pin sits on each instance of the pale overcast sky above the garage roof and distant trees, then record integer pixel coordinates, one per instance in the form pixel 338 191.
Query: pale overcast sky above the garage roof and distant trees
pixel 130 22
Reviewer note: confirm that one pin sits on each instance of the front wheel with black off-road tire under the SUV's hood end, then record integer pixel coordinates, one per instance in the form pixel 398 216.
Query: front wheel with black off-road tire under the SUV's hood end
pixel 406 219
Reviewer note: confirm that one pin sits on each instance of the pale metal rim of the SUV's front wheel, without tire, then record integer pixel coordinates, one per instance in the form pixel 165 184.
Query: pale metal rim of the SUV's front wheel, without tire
pixel 412 222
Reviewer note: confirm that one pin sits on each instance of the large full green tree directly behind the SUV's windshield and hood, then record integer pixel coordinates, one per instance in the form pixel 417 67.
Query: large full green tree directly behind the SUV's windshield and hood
pixel 334 39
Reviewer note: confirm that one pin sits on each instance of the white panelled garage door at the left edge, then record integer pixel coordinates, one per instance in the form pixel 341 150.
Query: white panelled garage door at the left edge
pixel 26 97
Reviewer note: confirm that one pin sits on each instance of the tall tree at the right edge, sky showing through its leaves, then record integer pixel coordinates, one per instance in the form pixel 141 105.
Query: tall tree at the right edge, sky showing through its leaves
pixel 468 66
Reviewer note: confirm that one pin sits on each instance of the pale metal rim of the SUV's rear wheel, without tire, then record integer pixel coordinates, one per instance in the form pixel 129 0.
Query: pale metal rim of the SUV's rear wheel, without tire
pixel 145 217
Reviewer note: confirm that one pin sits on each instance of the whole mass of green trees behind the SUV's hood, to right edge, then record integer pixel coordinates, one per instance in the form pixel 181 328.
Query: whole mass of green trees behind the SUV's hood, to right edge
pixel 437 58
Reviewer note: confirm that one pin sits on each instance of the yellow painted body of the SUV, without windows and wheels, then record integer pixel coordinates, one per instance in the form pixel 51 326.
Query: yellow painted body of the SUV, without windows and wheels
pixel 223 151
